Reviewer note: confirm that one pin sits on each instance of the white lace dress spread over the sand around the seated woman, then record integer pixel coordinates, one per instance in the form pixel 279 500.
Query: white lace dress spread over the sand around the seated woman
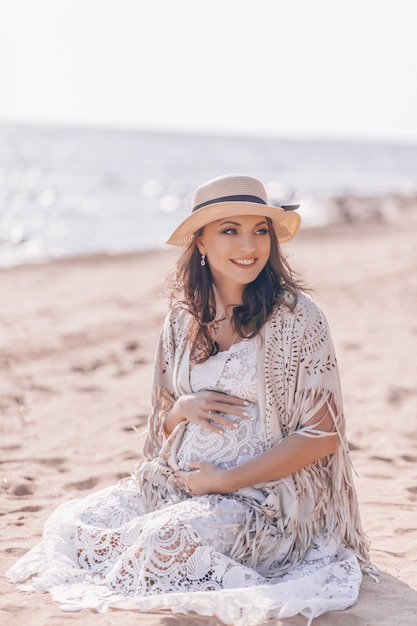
pixel 109 549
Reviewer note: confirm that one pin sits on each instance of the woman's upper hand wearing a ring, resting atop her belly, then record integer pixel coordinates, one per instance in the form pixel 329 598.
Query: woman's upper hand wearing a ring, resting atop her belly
pixel 207 409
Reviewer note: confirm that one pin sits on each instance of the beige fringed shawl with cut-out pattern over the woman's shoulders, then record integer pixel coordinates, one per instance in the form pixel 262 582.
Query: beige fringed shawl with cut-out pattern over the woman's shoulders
pixel 297 375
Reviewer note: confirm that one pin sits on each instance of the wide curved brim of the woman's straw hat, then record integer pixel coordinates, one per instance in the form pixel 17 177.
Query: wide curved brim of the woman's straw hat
pixel 286 223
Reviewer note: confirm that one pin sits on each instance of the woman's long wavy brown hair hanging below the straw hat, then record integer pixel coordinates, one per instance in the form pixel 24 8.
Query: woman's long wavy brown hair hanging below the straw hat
pixel 191 287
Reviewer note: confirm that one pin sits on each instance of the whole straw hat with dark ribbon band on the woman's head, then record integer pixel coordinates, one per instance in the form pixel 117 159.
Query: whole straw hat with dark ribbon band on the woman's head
pixel 230 195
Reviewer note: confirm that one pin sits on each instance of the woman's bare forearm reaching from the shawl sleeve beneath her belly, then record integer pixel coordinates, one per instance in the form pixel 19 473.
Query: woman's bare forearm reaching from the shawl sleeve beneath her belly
pixel 286 457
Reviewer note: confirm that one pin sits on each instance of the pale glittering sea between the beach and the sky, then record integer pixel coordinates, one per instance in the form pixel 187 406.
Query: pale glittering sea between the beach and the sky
pixel 68 191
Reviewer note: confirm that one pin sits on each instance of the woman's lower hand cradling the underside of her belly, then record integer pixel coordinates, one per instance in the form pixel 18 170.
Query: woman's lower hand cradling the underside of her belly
pixel 202 479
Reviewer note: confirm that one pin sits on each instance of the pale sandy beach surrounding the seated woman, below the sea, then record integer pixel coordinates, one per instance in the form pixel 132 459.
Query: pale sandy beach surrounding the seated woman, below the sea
pixel 77 339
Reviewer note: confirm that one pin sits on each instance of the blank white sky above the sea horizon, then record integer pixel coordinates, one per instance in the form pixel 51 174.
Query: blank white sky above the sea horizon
pixel 288 68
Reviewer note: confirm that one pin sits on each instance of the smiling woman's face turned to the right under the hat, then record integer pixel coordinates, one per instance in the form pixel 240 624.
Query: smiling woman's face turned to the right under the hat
pixel 237 249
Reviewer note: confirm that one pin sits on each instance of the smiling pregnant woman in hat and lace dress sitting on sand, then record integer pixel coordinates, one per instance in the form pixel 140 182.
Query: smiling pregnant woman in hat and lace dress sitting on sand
pixel 244 507
